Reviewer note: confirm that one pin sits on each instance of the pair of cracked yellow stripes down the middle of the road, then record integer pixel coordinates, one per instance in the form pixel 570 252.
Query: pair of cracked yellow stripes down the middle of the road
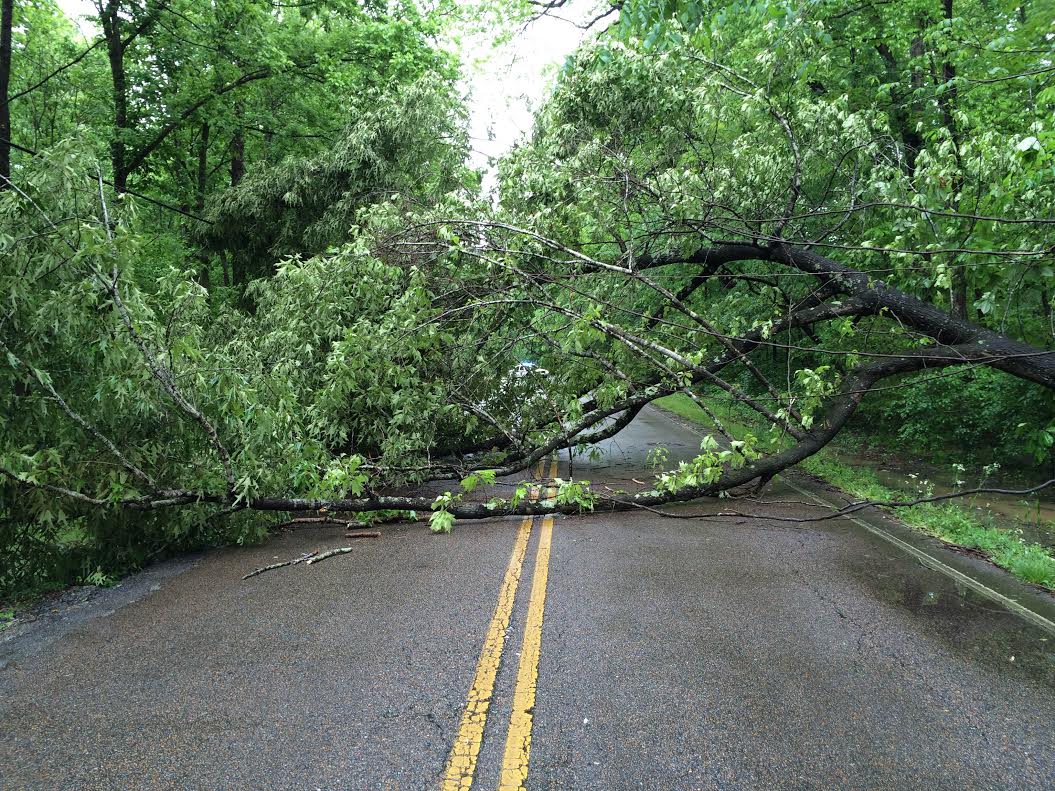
pixel 462 763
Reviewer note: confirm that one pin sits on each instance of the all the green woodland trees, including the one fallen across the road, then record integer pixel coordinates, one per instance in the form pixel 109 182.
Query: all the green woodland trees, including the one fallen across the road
pixel 248 267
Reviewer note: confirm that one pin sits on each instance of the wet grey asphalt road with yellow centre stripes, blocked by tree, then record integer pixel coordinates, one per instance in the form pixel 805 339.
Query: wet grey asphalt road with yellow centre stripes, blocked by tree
pixel 698 653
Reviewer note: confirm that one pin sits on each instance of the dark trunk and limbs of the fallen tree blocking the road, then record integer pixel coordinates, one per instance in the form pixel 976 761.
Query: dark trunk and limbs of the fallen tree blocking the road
pixel 664 371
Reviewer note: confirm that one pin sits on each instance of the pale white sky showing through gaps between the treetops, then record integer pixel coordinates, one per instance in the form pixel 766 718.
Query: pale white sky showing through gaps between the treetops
pixel 506 85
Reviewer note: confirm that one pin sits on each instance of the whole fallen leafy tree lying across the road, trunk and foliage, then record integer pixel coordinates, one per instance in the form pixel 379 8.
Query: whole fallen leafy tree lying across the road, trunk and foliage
pixel 667 230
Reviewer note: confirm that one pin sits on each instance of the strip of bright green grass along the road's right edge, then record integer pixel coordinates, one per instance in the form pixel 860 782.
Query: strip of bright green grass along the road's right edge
pixel 950 523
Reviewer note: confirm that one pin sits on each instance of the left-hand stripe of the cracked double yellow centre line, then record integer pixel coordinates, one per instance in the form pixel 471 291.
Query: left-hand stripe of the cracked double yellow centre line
pixel 462 763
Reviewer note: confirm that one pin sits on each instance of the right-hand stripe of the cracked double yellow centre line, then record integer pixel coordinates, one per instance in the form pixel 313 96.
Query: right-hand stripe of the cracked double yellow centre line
pixel 519 741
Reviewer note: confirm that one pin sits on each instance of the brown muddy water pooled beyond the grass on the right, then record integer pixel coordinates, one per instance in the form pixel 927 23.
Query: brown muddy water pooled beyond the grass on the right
pixel 1034 515
